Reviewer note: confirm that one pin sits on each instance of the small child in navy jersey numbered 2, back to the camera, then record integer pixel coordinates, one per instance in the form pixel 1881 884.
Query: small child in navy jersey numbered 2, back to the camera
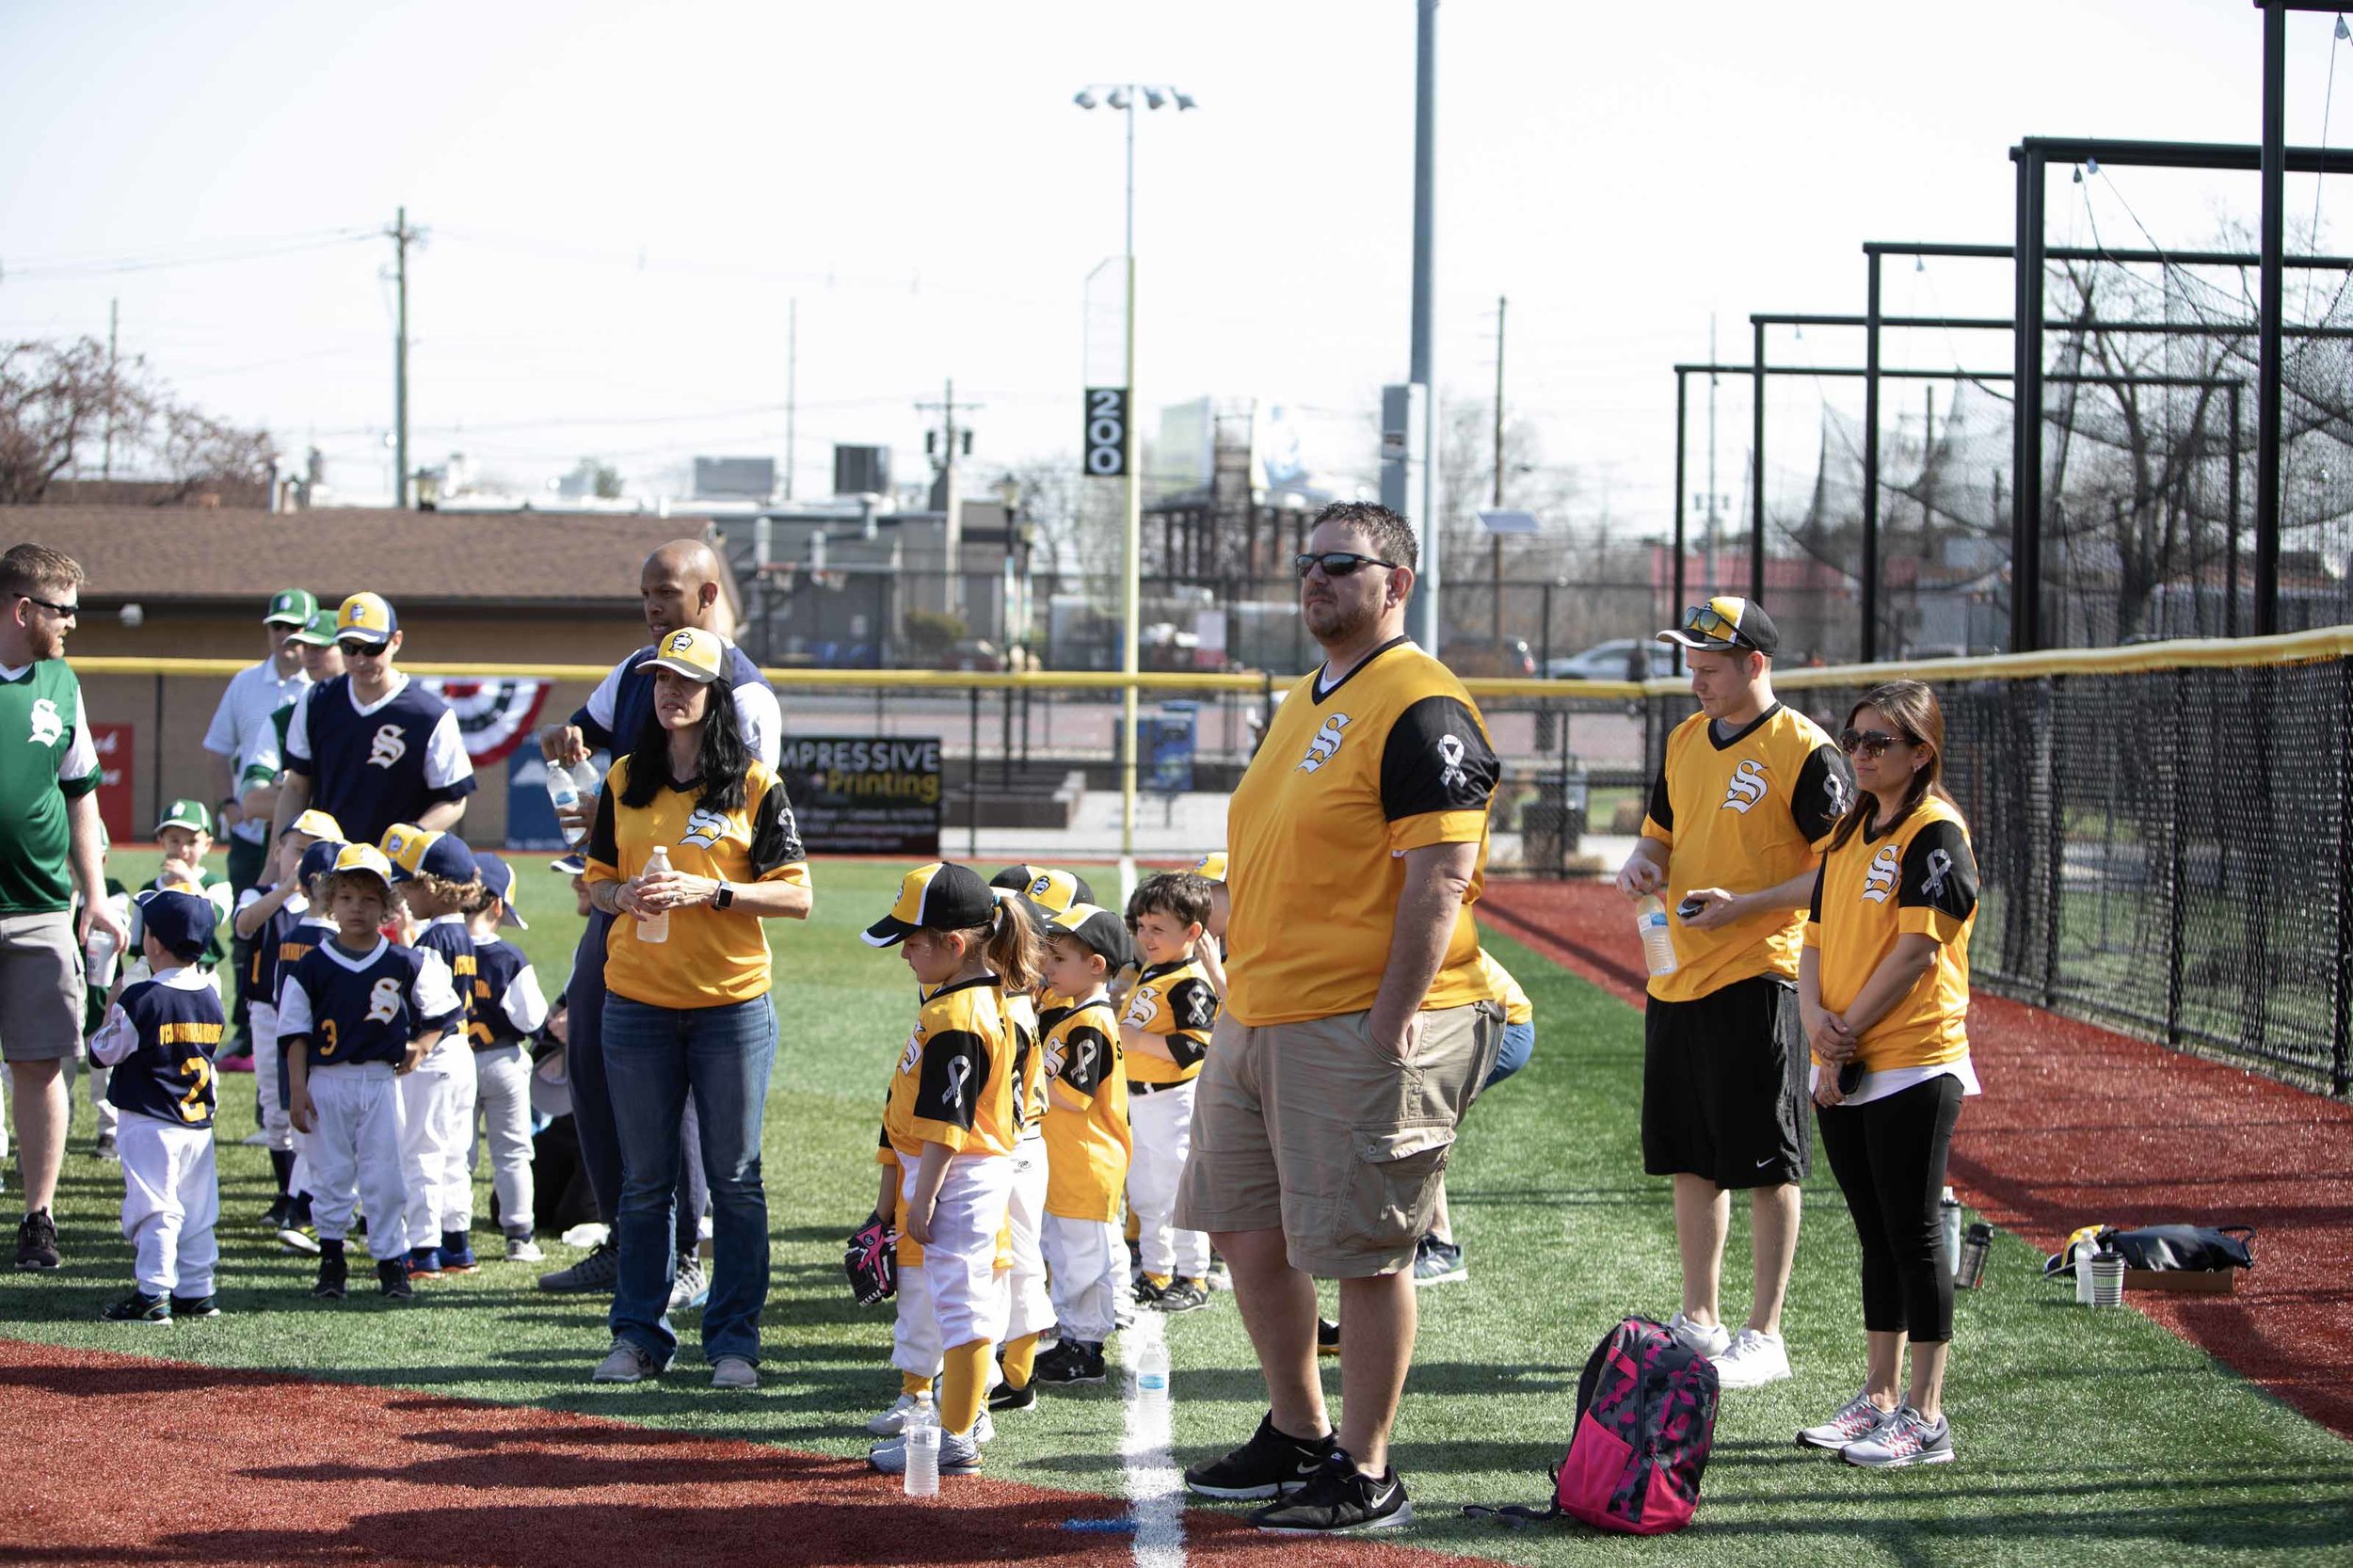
pixel 161 1039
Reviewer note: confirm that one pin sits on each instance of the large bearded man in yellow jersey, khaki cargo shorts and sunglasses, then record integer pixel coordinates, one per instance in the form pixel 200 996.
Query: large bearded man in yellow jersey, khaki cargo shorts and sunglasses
pixel 1357 1025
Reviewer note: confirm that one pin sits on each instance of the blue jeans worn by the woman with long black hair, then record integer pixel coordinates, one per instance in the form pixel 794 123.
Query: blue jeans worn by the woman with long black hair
pixel 653 1058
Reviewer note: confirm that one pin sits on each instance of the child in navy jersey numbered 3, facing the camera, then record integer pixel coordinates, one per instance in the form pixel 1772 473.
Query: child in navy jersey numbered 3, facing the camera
pixel 352 1016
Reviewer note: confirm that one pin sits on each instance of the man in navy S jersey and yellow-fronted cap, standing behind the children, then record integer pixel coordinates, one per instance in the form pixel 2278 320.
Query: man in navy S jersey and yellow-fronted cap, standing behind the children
pixel 371 748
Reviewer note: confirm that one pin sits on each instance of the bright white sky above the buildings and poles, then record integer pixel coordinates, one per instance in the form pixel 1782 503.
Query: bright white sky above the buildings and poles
pixel 622 201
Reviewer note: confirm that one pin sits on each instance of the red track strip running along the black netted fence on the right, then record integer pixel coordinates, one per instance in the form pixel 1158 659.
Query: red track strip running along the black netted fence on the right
pixel 2086 1127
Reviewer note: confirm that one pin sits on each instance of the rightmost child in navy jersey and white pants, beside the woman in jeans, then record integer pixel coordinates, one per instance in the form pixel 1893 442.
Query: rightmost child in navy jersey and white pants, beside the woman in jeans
pixel 509 1009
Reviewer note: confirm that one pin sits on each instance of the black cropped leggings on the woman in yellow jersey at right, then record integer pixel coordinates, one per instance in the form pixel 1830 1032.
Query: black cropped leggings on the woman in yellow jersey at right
pixel 1888 1160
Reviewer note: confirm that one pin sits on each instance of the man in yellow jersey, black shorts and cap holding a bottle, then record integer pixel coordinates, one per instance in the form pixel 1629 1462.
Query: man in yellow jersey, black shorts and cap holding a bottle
pixel 1742 806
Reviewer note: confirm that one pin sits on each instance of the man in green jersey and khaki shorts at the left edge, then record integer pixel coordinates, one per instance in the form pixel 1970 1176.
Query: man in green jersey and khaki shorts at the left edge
pixel 51 849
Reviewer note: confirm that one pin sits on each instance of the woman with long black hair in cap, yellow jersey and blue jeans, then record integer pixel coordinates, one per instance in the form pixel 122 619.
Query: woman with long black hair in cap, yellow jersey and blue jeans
pixel 691 1006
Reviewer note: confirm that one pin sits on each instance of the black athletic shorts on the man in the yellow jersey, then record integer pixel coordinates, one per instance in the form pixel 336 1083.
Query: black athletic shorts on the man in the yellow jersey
pixel 1724 1087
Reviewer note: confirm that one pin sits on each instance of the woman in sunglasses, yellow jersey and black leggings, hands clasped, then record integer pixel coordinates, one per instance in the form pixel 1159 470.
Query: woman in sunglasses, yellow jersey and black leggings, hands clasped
pixel 1884 990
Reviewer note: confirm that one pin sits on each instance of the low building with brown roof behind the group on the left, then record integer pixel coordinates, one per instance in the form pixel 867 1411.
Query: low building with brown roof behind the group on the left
pixel 467 587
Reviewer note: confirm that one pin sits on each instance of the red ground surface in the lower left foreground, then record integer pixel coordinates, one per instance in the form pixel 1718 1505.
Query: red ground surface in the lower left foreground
pixel 161 1463
